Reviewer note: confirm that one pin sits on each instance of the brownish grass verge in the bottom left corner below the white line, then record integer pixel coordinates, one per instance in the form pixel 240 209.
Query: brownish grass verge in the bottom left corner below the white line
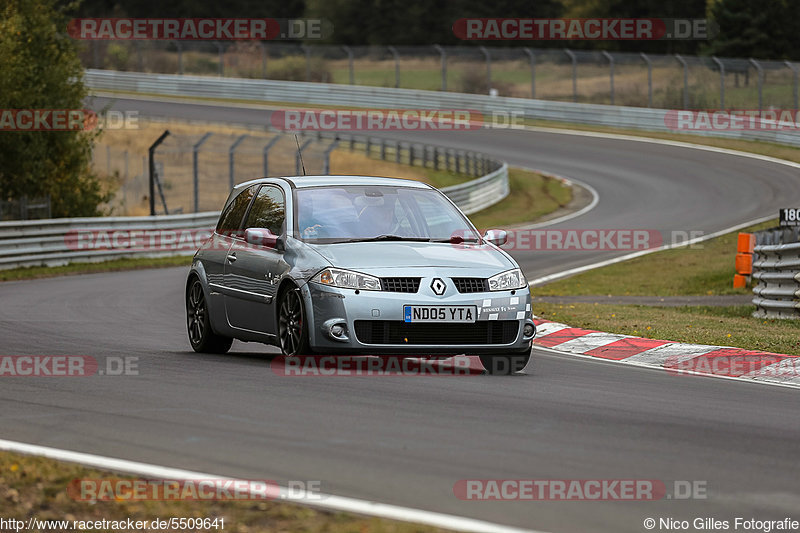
pixel 37 487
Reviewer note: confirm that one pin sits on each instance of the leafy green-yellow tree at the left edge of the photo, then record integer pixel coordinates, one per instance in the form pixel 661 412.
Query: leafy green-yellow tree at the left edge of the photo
pixel 41 70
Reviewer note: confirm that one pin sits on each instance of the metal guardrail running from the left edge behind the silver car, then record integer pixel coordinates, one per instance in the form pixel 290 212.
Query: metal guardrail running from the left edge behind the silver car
pixel 56 242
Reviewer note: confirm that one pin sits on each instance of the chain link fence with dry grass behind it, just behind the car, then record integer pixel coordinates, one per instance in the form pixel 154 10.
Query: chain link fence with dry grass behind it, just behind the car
pixel 194 173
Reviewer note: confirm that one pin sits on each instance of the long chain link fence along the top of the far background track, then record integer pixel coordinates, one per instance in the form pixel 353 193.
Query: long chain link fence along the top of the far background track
pixel 619 78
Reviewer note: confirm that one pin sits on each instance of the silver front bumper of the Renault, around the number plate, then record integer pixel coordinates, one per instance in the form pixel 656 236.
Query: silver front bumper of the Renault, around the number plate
pixel 328 306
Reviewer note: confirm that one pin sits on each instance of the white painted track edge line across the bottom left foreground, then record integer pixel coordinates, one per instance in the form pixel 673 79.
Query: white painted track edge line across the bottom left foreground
pixel 323 501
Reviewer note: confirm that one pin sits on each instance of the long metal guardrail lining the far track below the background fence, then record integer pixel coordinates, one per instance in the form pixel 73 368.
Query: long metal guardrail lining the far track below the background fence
pixel 390 98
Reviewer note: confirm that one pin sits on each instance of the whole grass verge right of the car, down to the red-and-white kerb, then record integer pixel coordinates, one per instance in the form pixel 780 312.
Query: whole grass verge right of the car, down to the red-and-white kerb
pixel 703 271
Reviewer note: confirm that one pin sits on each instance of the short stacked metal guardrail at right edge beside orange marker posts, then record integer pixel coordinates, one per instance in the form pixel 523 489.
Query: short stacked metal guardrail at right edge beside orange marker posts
pixel 776 269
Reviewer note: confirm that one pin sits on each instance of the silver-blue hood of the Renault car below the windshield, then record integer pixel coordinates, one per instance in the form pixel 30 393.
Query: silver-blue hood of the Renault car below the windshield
pixel 364 255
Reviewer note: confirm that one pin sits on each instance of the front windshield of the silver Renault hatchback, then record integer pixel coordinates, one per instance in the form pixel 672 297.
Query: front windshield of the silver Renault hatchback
pixel 362 213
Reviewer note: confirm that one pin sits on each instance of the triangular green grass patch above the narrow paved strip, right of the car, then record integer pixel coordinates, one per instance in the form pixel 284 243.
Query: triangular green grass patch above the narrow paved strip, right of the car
pixel 706 268
